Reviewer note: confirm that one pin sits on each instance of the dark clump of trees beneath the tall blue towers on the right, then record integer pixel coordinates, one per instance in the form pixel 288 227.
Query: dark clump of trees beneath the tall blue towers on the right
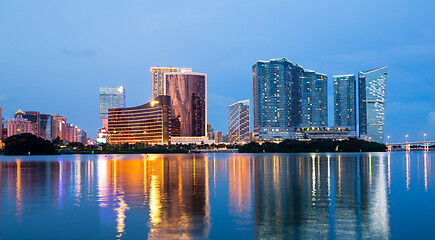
pixel 320 145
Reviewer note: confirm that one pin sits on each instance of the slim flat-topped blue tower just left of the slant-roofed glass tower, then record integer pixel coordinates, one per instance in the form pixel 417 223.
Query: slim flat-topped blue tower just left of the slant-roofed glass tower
pixel 345 101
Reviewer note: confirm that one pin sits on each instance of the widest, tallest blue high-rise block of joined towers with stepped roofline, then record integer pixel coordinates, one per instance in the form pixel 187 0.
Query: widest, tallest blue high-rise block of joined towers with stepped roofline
pixel 287 96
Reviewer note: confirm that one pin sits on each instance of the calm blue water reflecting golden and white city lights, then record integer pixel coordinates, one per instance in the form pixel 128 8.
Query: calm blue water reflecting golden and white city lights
pixel 216 196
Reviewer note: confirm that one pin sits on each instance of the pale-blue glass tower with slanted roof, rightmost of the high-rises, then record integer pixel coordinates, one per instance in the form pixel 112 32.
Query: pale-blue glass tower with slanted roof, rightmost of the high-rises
pixel 372 99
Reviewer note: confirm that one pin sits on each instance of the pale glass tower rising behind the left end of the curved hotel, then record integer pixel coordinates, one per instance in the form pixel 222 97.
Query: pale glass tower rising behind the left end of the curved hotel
pixel 110 97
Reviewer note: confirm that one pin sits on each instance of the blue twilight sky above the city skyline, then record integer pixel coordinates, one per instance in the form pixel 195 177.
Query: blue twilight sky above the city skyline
pixel 54 55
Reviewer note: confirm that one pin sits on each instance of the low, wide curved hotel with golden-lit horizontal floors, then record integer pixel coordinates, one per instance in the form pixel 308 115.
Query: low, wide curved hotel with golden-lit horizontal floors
pixel 148 123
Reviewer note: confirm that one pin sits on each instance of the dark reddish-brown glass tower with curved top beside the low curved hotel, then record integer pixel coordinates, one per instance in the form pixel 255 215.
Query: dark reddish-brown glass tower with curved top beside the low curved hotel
pixel 188 92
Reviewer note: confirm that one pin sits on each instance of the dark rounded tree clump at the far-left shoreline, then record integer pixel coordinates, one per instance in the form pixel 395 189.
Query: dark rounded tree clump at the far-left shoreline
pixel 28 144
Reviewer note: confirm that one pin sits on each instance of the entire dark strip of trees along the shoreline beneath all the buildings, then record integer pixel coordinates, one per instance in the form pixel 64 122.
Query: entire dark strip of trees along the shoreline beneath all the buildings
pixel 29 144
